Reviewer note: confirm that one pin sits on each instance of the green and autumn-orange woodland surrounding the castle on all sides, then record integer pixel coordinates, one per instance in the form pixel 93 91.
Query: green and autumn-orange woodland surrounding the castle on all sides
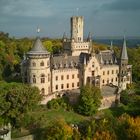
pixel 59 119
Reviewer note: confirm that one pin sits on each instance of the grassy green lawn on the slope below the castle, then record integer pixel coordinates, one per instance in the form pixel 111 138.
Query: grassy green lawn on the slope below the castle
pixel 46 116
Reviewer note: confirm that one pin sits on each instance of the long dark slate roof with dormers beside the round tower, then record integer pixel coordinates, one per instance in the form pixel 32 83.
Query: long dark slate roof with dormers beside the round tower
pixel 59 62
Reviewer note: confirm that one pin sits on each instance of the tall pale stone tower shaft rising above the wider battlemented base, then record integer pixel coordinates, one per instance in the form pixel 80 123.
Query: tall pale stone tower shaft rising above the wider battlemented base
pixel 77 28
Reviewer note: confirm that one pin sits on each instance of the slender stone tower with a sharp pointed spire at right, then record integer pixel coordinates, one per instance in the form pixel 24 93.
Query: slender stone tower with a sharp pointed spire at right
pixel 123 71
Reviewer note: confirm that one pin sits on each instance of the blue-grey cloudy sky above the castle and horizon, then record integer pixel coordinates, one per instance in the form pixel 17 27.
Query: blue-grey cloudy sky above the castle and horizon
pixel 20 18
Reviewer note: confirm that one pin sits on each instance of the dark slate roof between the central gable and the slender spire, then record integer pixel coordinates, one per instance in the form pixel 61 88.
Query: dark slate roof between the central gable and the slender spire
pixel 106 57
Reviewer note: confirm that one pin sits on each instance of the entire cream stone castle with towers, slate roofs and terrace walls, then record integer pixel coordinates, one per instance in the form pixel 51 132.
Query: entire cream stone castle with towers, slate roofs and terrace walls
pixel 77 66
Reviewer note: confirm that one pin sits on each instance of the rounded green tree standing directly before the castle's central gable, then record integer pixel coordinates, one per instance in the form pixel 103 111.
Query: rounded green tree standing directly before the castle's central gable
pixel 89 100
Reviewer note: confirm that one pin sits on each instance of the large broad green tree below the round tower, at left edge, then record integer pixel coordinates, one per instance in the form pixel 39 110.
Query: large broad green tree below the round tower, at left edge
pixel 16 100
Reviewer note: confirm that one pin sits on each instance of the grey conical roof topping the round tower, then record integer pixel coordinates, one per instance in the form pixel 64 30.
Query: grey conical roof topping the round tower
pixel 38 48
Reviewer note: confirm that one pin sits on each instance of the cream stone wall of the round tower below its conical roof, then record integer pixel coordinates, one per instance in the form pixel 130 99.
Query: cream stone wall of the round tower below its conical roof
pixel 38 70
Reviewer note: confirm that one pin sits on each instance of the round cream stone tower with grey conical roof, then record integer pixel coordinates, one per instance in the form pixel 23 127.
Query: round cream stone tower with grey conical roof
pixel 38 67
